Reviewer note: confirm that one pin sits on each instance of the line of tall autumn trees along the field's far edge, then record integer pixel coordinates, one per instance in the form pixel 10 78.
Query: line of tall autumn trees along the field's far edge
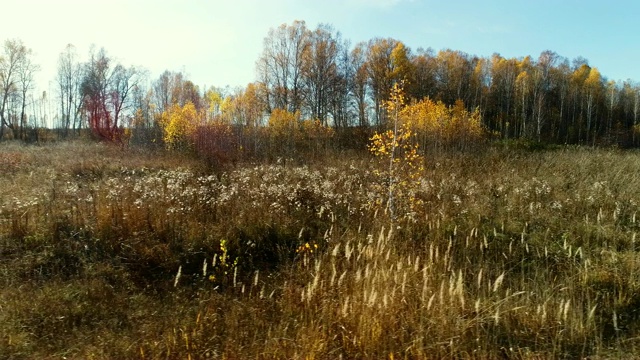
pixel 317 75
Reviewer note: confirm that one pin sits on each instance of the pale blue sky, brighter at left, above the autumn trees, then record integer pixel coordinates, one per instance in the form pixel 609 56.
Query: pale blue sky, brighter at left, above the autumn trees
pixel 217 43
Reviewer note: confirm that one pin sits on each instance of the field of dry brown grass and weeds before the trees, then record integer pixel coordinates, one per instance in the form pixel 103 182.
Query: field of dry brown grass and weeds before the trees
pixel 120 253
